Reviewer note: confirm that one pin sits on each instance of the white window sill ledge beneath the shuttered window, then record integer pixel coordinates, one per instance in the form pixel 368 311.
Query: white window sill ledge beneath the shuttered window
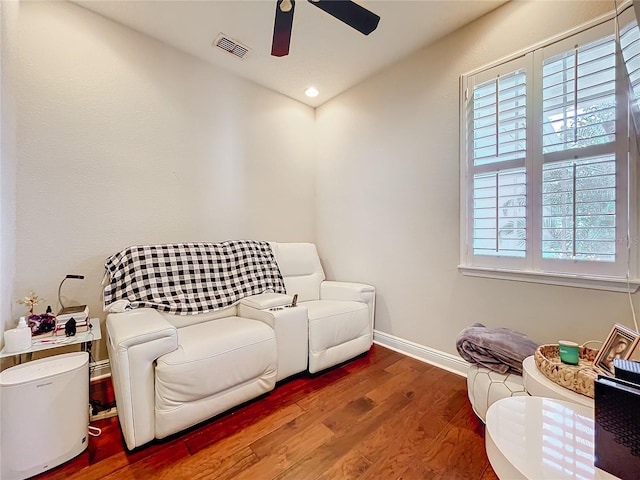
pixel 565 280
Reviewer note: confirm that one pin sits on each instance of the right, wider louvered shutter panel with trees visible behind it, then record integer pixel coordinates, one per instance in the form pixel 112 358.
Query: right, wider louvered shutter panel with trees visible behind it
pixel 579 119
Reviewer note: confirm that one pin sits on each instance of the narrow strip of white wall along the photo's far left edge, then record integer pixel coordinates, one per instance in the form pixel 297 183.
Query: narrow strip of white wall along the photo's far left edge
pixel 8 72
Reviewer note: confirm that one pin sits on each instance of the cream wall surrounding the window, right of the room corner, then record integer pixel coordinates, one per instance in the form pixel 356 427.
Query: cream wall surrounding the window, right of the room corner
pixel 388 193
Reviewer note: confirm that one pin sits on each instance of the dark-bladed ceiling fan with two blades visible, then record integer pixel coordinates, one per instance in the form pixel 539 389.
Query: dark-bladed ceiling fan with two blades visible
pixel 346 11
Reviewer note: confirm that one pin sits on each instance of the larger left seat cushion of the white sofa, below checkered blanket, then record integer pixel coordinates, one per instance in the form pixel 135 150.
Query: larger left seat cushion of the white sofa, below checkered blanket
pixel 212 357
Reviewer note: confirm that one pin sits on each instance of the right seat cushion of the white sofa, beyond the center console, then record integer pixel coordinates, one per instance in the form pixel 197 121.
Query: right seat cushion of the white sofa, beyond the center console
pixel 334 322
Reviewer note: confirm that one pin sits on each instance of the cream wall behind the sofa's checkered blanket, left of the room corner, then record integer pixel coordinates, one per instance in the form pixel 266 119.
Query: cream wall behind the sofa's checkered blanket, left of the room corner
pixel 123 140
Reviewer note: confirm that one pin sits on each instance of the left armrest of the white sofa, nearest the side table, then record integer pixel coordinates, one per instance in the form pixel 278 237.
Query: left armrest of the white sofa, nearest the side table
pixel 136 338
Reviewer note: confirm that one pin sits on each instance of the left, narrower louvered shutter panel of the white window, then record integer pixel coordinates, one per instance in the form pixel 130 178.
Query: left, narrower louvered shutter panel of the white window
pixel 498 138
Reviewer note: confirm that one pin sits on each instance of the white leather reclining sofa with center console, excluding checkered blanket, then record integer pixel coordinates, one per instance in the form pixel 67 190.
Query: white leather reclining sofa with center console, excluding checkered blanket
pixel 170 372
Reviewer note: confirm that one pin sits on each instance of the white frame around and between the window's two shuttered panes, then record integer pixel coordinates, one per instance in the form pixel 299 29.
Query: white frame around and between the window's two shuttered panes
pixel 533 268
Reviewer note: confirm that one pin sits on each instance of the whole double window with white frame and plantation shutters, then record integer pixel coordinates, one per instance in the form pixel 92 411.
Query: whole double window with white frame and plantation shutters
pixel 545 162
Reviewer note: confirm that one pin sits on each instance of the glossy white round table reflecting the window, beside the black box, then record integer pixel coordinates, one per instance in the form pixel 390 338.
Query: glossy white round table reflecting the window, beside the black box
pixel 541 438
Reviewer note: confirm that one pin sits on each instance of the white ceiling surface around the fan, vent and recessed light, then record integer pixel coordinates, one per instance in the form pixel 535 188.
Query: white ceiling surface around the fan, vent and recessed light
pixel 324 52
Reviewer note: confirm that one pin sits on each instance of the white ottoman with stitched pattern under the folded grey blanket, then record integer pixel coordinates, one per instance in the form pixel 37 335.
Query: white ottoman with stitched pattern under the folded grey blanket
pixel 486 387
